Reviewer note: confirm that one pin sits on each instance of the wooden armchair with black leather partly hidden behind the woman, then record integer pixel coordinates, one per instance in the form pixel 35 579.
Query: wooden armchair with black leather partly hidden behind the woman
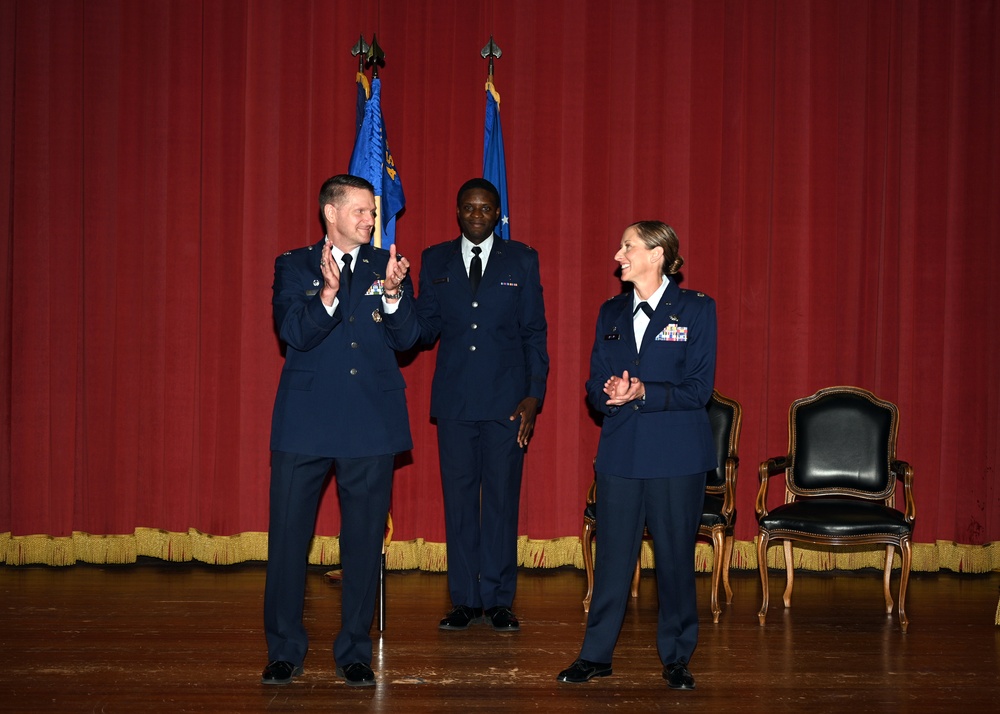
pixel 718 515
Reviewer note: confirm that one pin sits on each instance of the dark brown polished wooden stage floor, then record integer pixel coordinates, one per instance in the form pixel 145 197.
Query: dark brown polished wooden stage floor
pixel 161 637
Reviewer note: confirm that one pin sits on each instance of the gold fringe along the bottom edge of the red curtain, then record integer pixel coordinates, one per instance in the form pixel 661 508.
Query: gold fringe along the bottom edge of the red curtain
pixel 432 557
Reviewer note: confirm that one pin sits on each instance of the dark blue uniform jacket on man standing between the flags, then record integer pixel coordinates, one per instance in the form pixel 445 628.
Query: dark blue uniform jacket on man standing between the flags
pixel 492 352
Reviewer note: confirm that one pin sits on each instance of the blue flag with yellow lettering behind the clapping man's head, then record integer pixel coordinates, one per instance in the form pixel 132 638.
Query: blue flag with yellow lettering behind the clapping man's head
pixel 372 160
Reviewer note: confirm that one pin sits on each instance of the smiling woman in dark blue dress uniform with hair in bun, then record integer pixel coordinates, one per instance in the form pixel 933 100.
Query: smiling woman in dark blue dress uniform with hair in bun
pixel 652 370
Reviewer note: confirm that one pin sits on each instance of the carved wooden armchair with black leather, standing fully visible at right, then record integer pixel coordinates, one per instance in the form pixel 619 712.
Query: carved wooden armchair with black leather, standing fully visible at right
pixel 841 476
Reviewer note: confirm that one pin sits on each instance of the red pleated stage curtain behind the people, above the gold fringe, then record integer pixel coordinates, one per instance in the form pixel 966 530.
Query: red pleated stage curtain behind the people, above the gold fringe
pixel 832 169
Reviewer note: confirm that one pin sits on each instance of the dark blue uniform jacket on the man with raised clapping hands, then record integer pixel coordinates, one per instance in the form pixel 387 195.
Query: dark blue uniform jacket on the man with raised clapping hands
pixel 341 393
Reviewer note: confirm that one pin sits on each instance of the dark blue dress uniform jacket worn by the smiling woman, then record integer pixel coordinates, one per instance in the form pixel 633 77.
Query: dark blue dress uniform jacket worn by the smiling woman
pixel 668 434
